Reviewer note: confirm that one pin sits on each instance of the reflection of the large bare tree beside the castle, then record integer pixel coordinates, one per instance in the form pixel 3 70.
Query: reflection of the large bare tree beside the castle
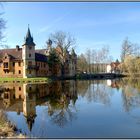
pixel 62 109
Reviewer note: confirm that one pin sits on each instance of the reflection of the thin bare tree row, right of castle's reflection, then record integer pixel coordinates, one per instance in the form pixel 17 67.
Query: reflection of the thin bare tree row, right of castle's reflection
pixel 95 91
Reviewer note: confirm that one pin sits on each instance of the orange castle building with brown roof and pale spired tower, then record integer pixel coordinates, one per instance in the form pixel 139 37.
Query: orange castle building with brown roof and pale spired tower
pixel 26 61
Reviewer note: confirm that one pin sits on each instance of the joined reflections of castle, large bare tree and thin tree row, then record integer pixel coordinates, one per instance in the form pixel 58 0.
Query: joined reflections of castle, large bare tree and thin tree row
pixel 59 97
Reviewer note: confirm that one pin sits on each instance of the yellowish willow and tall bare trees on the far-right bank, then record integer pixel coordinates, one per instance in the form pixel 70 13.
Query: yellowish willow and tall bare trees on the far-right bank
pixel 130 58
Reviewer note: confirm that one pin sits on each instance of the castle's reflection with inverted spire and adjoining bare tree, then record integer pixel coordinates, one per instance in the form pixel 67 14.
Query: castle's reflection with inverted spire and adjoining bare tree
pixel 25 97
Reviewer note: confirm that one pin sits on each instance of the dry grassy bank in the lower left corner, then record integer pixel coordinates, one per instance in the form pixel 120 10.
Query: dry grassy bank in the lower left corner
pixel 7 129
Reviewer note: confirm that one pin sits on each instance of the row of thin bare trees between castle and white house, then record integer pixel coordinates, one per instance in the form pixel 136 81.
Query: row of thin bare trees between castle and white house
pixel 94 60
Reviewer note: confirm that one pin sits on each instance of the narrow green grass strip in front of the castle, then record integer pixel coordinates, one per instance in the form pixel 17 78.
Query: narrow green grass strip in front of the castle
pixel 25 80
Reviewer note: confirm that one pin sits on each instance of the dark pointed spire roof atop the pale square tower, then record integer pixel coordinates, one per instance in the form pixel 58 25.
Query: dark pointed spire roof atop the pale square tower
pixel 28 39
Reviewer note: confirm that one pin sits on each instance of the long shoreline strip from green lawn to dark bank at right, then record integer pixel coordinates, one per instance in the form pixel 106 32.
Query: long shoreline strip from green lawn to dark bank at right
pixel 101 76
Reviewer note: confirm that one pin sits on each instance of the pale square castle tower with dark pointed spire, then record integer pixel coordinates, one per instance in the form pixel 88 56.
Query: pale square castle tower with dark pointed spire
pixel 28 56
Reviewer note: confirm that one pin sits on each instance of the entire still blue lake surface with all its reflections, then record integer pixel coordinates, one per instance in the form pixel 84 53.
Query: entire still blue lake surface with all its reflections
pixel 74 109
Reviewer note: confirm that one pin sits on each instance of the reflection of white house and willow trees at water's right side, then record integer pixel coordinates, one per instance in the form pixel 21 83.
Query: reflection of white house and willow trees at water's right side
pixel 130 89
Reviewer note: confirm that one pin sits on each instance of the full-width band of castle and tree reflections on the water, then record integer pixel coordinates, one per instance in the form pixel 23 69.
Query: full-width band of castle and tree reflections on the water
pixel 60 98
